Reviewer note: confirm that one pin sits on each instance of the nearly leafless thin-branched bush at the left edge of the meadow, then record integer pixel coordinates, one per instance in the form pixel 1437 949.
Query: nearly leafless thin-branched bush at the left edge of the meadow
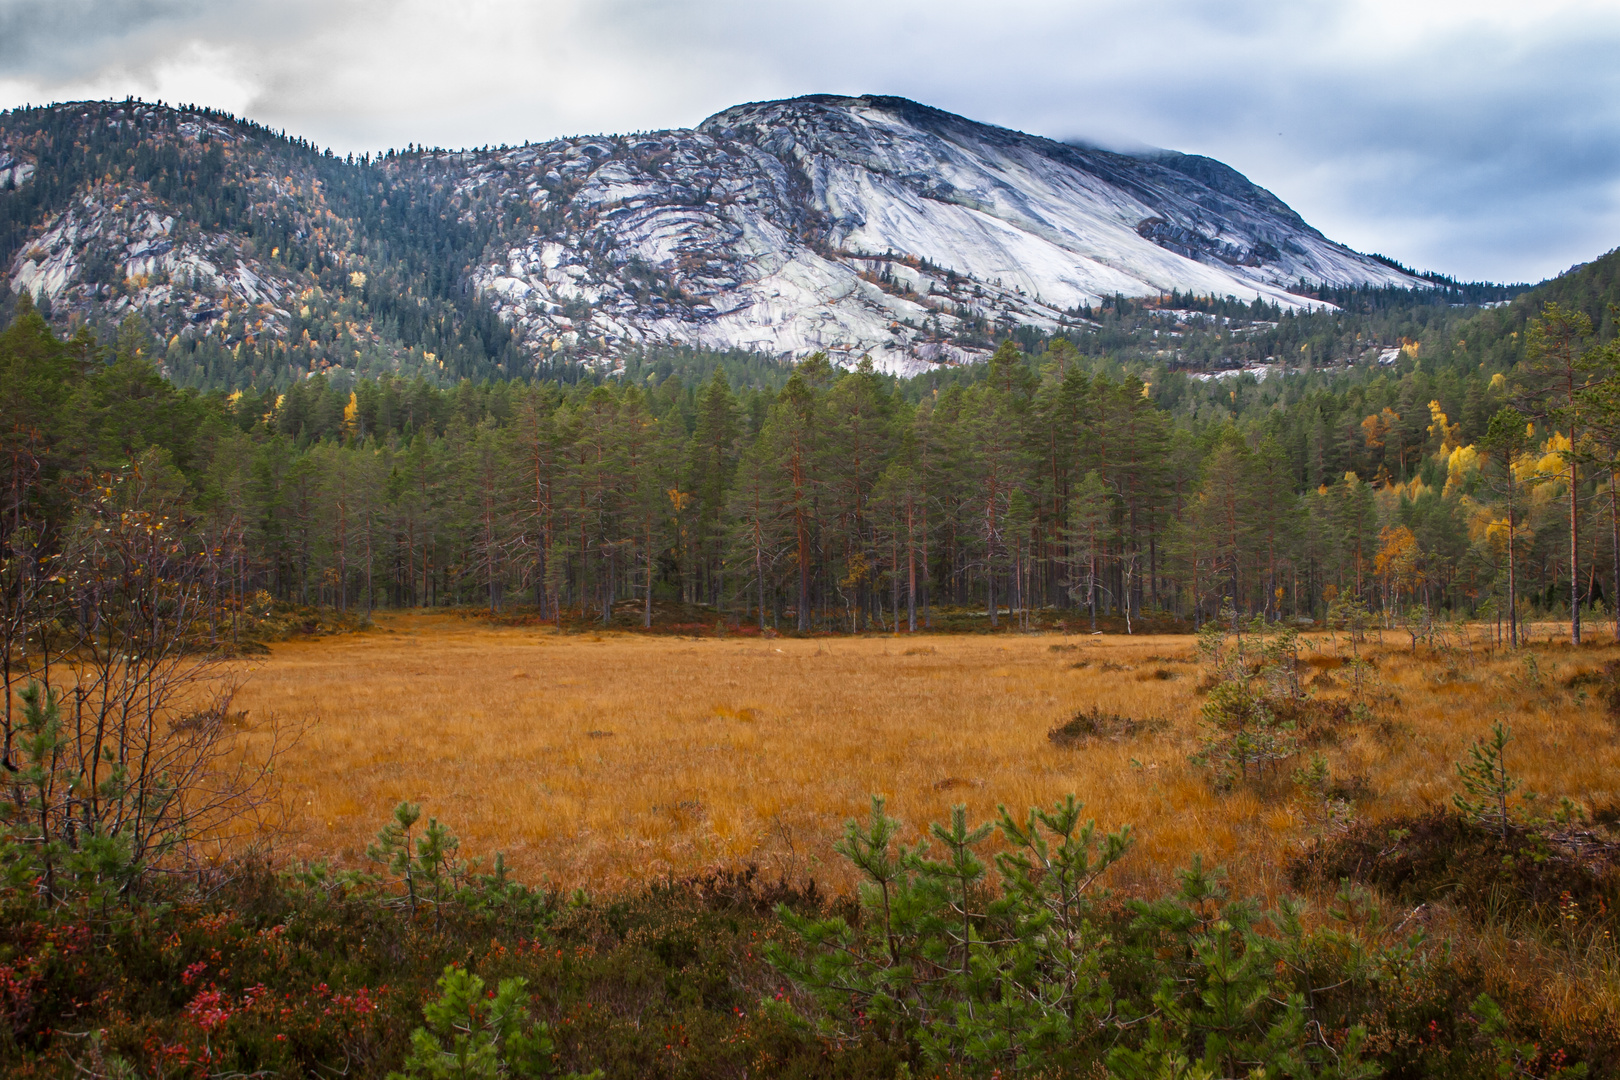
pixel 145 755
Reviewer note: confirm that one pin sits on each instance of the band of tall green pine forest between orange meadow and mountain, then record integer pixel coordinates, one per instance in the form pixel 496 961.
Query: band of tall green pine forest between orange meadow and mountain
pixel 1036 487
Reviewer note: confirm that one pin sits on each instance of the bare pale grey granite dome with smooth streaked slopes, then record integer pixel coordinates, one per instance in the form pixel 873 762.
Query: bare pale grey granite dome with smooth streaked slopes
pixel 879 227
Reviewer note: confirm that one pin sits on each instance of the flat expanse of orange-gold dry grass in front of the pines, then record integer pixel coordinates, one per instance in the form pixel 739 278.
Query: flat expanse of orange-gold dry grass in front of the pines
pixel 616 759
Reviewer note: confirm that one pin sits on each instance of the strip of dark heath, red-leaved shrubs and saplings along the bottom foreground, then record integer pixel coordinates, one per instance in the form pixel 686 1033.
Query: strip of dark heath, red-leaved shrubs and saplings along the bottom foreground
pixel 1038 972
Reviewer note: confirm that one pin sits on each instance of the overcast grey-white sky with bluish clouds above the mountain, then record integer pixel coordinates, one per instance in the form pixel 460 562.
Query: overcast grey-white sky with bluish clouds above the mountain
pixel 1477 138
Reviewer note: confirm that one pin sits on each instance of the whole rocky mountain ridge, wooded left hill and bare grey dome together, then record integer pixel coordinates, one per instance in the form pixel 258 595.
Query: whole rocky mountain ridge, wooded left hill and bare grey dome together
pixel 856 226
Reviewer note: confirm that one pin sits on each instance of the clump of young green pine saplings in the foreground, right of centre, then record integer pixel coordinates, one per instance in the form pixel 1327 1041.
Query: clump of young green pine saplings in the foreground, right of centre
pixel 939 961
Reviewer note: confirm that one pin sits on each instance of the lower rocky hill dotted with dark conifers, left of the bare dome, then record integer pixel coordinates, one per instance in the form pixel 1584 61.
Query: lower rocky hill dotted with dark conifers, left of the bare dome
pixel 255 257
